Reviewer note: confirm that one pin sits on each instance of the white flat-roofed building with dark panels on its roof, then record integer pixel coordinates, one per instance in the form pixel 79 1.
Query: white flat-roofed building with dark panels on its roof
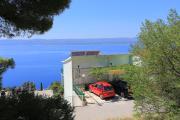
pixel 76 68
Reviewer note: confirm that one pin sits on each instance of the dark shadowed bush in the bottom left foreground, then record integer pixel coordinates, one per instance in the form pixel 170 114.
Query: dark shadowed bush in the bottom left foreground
pixel 27 106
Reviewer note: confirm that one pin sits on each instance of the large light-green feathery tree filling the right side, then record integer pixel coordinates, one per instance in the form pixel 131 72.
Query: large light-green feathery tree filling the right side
pixel 156 83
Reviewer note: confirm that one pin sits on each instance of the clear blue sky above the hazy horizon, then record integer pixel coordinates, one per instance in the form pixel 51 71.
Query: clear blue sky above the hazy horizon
pixel 107 18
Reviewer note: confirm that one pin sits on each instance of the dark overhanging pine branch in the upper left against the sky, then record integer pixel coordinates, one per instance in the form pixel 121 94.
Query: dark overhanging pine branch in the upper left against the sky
pixel 28 17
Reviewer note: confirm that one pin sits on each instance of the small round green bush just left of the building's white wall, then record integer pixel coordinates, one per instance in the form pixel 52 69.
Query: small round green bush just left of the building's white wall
pixel 57 88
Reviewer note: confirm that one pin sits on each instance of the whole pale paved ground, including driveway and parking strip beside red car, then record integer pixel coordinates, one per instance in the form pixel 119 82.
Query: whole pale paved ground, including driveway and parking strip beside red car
pixel 98 109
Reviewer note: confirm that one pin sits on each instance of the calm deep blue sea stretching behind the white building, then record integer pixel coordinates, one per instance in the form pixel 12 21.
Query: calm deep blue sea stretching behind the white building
pixel 41 60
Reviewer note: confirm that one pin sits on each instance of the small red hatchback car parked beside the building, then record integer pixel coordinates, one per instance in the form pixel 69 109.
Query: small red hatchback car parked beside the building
pixel 102 89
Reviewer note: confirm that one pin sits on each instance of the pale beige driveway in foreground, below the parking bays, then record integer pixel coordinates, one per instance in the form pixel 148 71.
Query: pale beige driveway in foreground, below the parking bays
pixel 105 110
